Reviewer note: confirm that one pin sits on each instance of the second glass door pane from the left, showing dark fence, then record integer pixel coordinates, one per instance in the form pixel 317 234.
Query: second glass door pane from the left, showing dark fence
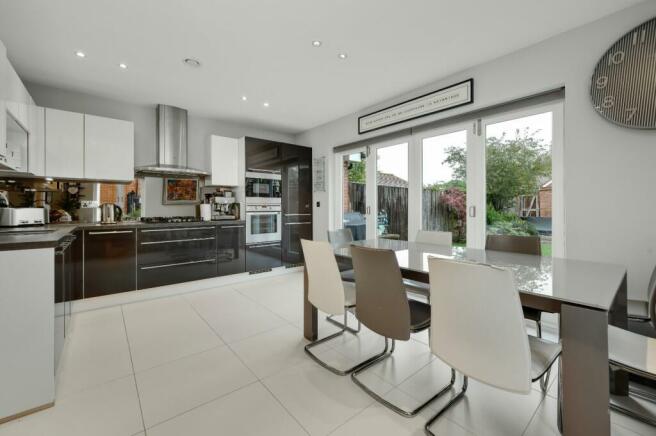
pixel 391 196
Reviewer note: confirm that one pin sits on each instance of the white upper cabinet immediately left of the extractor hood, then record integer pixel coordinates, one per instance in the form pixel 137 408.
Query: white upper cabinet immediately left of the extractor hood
pixel 108 149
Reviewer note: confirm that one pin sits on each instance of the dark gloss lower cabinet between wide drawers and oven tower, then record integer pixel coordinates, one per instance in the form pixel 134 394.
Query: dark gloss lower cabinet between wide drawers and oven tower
pixel 231 249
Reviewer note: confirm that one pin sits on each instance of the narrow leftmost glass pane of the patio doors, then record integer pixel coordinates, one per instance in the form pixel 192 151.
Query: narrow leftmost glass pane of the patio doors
pixel 354 193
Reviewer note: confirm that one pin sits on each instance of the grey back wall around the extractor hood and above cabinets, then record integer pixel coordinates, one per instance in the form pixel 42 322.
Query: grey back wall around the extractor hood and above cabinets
pixel 144 119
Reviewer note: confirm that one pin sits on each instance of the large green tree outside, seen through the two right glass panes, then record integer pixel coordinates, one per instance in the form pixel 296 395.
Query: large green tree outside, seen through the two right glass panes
pixel 514 166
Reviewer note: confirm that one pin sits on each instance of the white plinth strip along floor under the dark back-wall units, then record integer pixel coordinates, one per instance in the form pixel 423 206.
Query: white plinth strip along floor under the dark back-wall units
pixel 170 290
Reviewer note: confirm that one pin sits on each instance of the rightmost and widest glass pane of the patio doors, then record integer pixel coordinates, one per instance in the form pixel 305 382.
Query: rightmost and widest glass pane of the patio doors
pixel 518 182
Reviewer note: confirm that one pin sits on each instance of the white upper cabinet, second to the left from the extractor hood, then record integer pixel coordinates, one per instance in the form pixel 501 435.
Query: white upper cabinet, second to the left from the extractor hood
pixel 64 142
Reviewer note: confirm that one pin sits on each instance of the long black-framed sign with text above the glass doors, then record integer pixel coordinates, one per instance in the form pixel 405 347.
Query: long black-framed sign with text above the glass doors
pixel 443 99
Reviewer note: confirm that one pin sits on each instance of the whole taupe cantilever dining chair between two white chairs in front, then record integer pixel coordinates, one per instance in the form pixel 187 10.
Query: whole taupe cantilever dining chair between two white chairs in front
pixel 384 308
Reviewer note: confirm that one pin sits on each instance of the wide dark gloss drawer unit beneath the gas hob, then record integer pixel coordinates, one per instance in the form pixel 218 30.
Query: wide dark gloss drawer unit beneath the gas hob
pixel 175 255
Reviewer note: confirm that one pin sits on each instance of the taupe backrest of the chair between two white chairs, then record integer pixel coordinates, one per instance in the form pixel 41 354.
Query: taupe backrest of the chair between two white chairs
pixel 382 302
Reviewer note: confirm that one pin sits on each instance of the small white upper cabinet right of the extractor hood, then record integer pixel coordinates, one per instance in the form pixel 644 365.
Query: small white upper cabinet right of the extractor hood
pixel 224 158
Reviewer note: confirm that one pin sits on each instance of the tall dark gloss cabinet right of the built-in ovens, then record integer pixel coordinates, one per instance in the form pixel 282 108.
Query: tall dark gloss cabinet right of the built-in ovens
pixel 296 202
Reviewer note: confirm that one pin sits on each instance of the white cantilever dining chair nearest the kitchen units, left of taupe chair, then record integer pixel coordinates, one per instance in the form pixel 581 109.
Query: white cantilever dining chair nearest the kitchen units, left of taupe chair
pixel 328 293
